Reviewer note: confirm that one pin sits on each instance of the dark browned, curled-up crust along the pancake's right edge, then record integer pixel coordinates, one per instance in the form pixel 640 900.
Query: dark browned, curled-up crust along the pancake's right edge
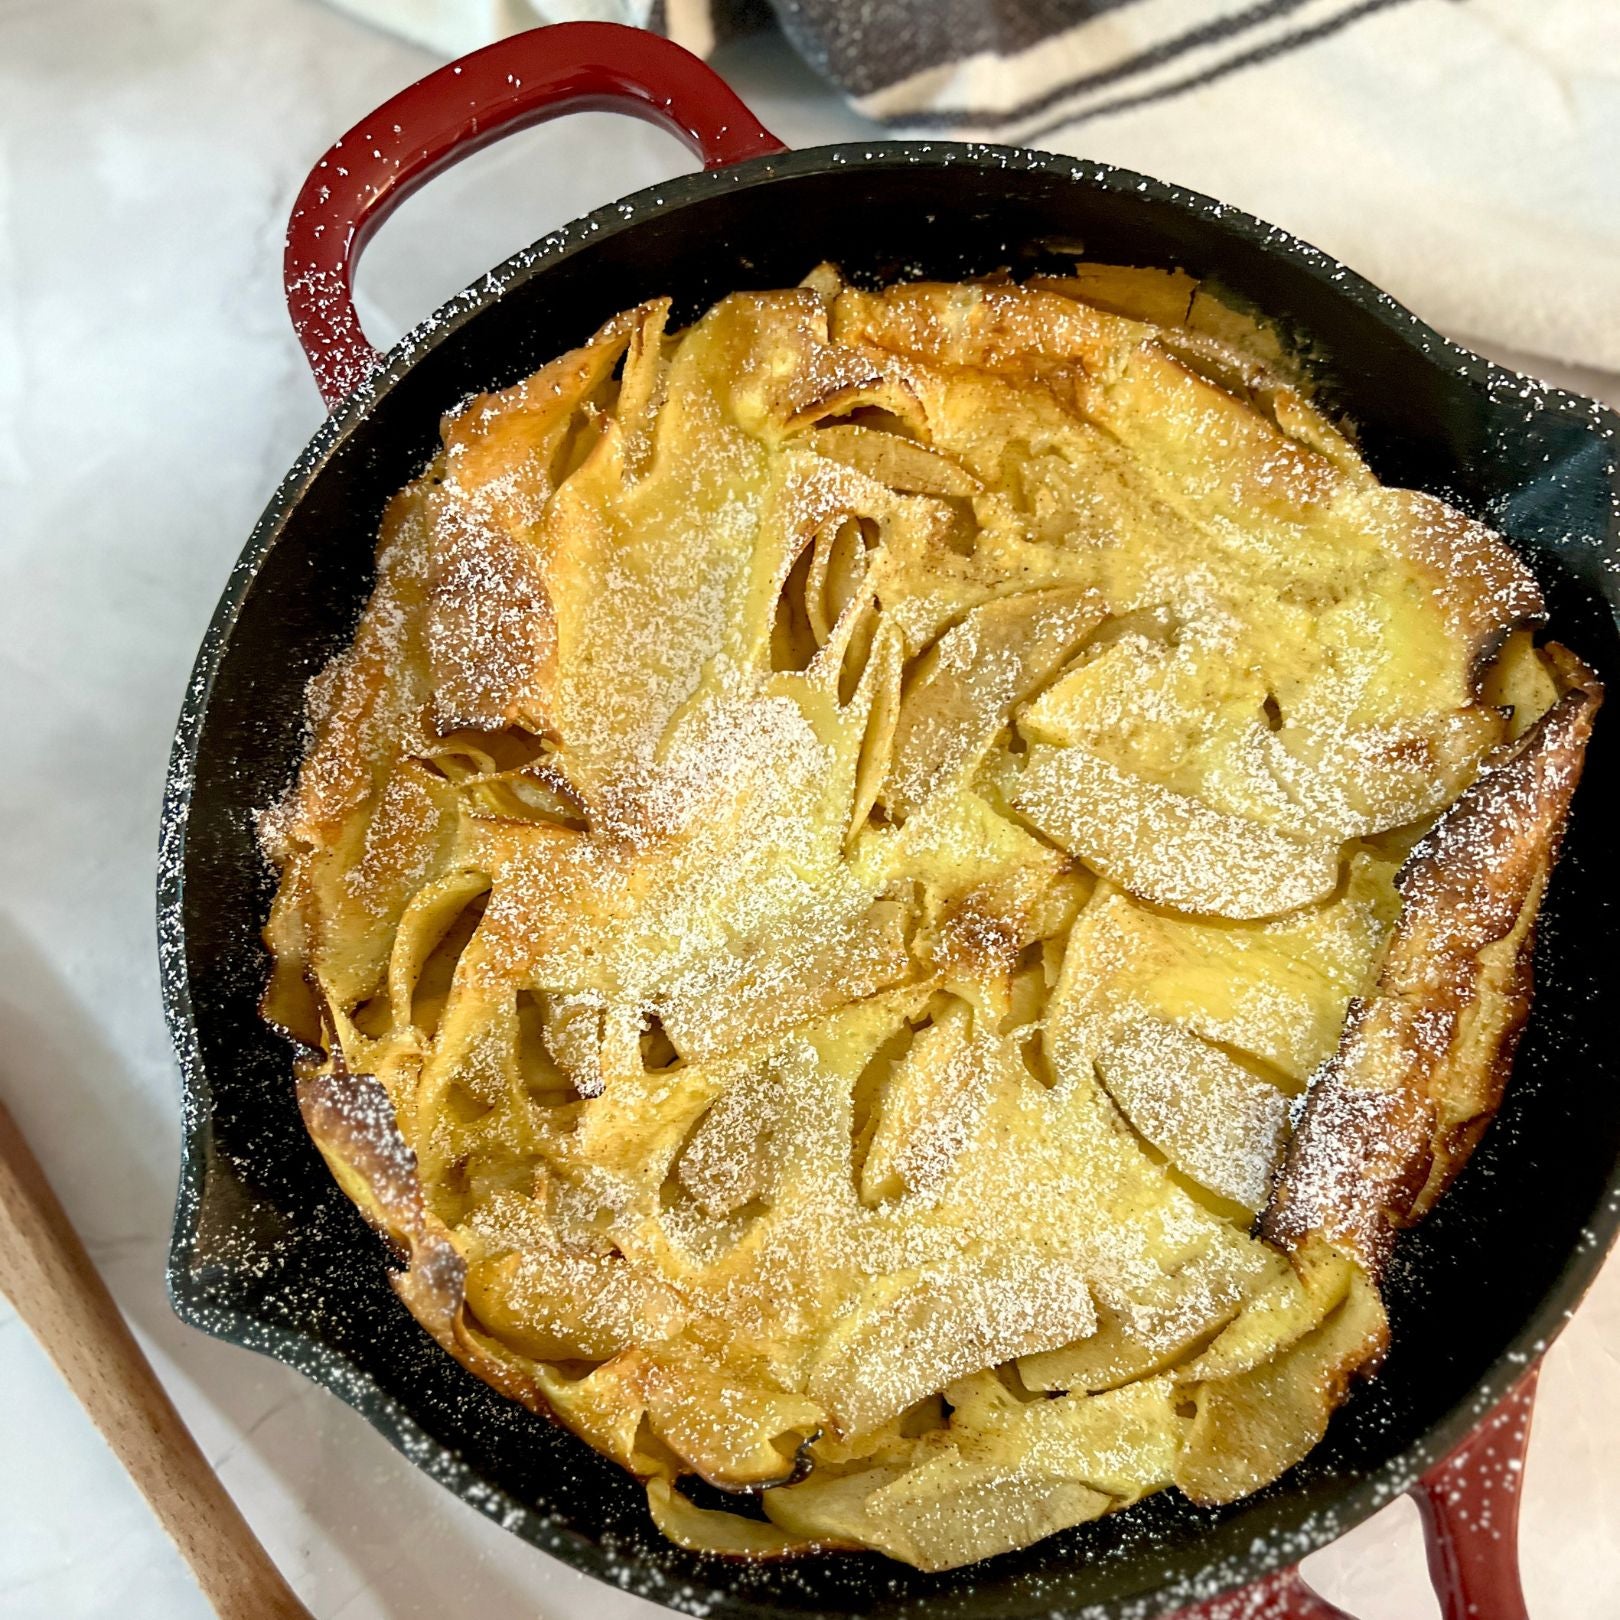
pixel 1423 1062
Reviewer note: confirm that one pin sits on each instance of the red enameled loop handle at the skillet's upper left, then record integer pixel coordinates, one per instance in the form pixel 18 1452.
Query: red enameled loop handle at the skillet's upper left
pixel 571 67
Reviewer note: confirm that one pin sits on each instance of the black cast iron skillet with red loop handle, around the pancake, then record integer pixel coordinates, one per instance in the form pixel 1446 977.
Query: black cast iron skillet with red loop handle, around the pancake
pixel 270 1255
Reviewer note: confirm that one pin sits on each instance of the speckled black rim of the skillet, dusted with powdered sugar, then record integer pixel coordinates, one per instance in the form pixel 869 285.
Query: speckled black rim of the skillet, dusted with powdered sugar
pixel 1503 393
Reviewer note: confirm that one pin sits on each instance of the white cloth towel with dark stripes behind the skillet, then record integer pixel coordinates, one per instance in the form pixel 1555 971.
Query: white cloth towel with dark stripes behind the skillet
pixel 1462 153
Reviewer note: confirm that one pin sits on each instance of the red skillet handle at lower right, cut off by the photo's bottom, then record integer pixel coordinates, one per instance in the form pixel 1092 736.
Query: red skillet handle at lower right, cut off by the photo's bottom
pixel 1470 1517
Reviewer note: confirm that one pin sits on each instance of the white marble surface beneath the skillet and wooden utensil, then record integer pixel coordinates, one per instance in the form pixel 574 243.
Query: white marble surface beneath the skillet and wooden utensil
pixel 151 396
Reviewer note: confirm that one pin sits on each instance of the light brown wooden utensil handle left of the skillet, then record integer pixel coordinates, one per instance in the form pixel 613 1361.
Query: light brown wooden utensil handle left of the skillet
pixel 58 1292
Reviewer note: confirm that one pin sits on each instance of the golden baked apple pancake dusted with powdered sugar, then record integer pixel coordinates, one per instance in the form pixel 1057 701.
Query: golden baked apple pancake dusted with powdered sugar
pixel 902 890
